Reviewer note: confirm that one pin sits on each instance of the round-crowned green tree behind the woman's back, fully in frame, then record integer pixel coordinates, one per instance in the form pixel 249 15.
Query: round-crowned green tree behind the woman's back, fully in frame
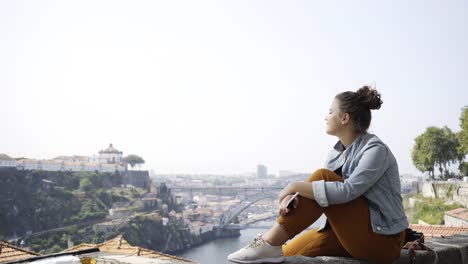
pixel 435 147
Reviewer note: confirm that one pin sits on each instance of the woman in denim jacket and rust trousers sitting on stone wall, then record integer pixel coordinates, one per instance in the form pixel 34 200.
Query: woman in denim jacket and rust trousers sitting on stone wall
pixel 359 193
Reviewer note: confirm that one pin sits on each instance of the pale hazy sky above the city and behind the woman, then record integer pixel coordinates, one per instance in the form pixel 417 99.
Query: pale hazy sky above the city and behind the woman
pixel 221 86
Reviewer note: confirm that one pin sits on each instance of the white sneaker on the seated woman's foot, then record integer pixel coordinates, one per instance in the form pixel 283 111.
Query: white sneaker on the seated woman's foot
pixel 258 251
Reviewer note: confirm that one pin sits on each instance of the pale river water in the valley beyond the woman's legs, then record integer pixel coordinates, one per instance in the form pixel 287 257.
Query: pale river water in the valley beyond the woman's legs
pixel 216 251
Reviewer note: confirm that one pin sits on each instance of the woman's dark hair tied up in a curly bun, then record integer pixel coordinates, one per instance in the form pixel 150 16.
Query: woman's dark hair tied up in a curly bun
pixel 358 105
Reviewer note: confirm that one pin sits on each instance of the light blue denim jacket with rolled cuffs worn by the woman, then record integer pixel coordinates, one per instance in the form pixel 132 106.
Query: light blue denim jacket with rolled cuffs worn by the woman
pixel 369 170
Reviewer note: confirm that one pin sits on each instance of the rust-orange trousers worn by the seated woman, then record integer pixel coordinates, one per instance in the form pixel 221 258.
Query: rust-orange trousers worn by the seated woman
pixel 349 233
